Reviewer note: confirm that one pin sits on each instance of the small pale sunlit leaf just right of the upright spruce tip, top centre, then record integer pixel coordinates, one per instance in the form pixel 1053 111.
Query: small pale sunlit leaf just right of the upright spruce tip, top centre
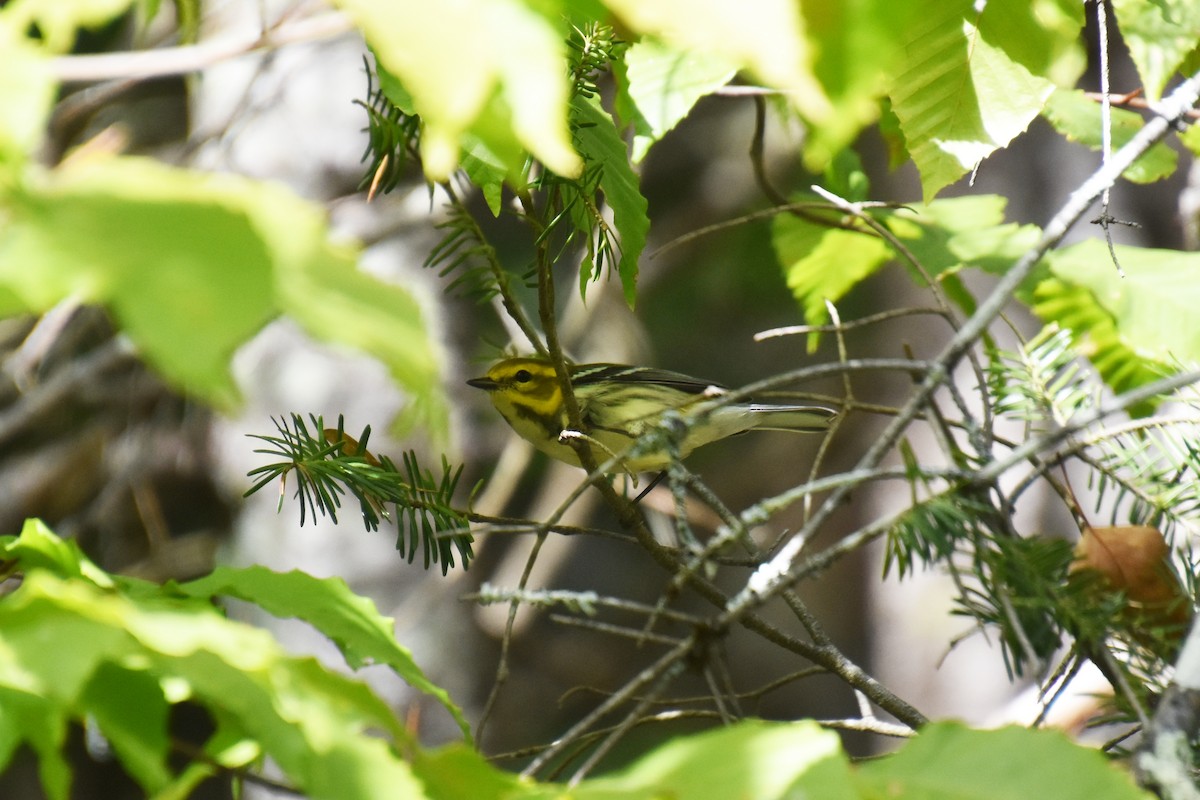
pixel 664 85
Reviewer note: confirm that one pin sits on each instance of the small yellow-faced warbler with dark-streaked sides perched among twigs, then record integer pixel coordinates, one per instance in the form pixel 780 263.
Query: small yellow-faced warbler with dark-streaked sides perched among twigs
pixel 619 404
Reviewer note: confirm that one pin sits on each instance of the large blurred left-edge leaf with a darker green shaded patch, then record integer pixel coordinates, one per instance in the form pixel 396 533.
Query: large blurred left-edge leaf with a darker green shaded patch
pixel 175 255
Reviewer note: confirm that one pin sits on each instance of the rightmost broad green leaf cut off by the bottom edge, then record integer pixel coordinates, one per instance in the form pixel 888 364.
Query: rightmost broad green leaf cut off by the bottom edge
pixel 949 761
